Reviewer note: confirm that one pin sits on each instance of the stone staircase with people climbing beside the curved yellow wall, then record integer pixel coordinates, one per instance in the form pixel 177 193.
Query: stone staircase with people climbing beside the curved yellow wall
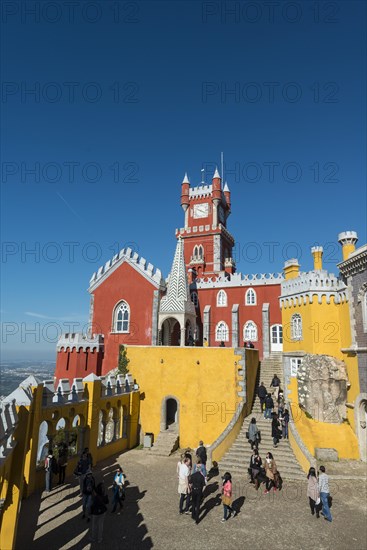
pixel 237 458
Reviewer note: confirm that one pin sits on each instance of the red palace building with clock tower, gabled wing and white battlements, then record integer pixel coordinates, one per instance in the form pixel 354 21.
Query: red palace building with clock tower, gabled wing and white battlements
pixel 204 297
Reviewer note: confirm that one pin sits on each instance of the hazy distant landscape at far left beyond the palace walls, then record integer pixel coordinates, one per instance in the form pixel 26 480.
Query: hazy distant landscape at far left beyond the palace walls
pixel 12 373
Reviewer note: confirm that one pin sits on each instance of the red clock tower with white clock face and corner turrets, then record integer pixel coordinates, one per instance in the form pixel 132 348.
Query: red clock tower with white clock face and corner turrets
pixel 208 243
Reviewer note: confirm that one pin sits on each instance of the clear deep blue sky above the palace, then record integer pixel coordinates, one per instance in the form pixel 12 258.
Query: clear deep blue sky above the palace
pixel 126 101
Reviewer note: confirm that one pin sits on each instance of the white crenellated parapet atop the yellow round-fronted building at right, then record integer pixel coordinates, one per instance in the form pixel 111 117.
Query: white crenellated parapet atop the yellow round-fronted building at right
pixel 319 285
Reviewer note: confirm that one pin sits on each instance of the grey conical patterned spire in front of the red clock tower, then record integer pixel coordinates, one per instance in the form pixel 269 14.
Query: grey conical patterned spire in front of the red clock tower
pixel 177 299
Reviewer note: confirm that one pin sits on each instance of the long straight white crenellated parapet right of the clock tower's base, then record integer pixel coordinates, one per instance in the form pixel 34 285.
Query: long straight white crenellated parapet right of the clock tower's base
pixel 238 280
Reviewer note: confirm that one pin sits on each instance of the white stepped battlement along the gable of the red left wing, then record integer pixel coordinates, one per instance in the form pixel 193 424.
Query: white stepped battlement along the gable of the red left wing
pixel 148 270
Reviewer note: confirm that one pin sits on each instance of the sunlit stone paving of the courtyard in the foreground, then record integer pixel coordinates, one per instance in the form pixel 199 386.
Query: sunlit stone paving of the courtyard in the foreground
pixel 150 518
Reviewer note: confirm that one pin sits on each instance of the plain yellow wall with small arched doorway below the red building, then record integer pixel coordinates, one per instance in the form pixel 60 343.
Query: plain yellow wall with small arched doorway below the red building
pixel 207 392
